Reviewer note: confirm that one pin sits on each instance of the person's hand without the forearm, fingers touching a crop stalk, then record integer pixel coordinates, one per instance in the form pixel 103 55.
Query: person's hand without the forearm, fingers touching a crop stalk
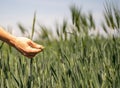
pixel 27 47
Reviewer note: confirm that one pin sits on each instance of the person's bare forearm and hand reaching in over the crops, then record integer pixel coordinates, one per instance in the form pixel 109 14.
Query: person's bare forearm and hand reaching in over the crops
pixel 24 45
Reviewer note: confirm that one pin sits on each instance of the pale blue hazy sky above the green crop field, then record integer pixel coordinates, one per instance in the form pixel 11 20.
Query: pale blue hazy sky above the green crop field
pixel 48 12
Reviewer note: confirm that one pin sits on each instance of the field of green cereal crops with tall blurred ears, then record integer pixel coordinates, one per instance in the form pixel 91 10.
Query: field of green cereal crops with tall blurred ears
pixel 72 59
